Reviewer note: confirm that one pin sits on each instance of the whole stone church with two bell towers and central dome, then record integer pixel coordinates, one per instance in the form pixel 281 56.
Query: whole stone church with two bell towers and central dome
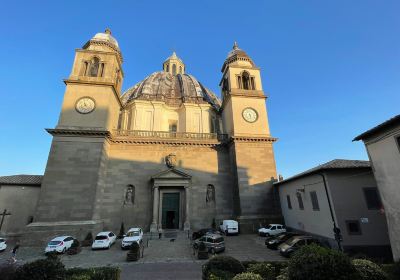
pixel 165 154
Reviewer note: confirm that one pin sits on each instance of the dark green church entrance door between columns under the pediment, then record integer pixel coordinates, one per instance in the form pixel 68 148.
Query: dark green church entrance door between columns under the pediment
pixel 170 210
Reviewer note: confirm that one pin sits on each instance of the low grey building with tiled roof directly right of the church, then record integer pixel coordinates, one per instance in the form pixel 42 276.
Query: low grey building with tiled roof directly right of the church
pixel 341 194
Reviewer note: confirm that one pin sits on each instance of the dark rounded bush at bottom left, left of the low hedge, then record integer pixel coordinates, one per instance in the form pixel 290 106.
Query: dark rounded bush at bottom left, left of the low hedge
pixel 43 269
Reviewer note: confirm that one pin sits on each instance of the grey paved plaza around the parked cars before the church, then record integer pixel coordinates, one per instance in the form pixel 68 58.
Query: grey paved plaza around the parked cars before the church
pixel 162 253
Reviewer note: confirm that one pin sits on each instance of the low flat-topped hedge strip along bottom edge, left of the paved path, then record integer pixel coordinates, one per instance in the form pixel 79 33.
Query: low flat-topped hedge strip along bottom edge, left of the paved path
pixel 97 273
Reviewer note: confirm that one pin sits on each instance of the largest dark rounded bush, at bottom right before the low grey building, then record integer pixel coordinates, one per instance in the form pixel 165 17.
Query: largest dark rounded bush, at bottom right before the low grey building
pixel 313 262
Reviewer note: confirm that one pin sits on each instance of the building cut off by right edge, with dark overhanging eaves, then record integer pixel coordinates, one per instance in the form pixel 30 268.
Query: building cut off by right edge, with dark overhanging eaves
pixel 383 147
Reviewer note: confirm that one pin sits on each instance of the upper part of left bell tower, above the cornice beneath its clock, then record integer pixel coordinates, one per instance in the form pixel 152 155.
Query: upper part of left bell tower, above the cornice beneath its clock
pixel 91 98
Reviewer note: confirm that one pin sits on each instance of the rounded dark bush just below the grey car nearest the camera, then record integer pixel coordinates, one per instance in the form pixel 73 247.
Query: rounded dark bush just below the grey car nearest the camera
pixel 225 265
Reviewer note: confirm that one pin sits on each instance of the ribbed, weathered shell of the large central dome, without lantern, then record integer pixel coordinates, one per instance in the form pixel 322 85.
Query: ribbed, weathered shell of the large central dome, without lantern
pixel 172 89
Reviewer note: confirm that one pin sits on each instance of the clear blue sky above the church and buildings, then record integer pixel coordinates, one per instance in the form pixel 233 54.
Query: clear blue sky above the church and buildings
pixel 330 68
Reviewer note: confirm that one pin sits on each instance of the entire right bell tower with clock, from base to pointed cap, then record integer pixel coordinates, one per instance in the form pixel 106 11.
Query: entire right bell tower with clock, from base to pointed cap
pixel 245 120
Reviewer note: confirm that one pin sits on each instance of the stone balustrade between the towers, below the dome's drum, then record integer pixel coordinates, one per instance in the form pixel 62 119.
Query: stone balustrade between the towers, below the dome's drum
pixel 170 135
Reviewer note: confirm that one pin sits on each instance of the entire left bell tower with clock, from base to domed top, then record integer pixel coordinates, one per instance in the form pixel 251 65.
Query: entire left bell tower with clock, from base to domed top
pixel 74 179
